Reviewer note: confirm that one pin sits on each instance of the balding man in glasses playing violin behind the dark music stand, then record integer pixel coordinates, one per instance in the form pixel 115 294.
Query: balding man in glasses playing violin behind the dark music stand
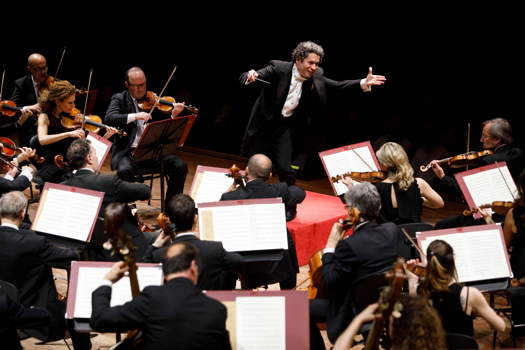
pixel 123 112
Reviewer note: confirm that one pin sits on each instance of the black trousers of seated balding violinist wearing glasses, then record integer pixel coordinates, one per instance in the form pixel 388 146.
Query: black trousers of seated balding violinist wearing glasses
pixel 175 170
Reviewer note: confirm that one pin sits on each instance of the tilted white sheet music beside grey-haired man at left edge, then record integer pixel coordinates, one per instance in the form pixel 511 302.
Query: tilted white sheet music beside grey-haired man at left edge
pixel 67 214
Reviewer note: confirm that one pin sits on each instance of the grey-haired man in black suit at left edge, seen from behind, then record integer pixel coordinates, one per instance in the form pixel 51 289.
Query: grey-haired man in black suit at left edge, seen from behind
pixel 26 260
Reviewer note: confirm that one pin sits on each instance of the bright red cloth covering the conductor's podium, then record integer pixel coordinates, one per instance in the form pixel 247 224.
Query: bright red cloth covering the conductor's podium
pixel 315 217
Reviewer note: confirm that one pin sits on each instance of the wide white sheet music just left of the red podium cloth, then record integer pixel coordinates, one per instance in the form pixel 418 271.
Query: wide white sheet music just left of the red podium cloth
pixel 247 227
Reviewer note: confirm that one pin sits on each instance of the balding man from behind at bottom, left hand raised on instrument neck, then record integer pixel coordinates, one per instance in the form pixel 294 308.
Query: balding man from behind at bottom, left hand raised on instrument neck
pixel 176 315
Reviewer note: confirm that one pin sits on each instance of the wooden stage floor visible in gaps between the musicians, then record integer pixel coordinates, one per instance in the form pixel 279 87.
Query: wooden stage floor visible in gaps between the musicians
pixel 194 157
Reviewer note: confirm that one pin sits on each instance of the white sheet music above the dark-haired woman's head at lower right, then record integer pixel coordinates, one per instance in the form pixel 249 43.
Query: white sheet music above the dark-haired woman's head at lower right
pixel 479 255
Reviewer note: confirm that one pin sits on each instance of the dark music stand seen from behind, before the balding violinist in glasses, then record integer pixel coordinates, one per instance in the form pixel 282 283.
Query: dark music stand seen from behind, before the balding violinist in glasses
pixel 163 138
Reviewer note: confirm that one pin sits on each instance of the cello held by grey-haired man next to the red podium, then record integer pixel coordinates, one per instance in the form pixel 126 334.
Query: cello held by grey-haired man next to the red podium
pixel 316 289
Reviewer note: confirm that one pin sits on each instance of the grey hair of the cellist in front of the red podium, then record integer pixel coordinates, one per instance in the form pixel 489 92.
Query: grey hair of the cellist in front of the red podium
pixel 366 198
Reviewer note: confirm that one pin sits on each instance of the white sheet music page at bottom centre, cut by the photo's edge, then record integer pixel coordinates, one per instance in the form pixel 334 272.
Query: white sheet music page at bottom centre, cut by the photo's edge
pixel 260 323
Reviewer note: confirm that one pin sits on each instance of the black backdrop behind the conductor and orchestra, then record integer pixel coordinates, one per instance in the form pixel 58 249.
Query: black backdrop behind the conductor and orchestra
pixel 446 67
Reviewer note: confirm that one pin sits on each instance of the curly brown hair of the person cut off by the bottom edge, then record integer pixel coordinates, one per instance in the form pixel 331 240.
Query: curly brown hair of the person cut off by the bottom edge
pixel 419 327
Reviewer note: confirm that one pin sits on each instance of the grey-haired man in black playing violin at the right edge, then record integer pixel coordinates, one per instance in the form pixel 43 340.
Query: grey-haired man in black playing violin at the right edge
pixel 496 136
